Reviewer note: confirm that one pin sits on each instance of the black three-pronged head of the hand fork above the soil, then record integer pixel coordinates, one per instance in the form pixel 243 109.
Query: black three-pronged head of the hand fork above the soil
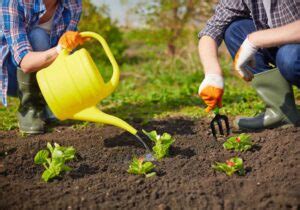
pixel 218 119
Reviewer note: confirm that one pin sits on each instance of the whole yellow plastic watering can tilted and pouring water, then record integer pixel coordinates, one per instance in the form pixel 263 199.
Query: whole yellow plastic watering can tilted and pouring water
pixel 72 86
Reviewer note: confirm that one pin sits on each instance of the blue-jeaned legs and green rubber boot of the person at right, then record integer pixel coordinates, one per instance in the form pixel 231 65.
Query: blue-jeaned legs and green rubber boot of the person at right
pixel 271 85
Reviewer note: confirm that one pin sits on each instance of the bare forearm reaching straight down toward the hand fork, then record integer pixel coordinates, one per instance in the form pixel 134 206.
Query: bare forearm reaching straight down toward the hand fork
pixel 208 51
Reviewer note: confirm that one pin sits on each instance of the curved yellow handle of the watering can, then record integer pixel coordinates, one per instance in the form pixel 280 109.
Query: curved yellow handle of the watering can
pixel 114 81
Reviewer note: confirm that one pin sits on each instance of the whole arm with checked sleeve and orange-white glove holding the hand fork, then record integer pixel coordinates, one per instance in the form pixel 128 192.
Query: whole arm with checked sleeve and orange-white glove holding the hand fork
pixel 211 88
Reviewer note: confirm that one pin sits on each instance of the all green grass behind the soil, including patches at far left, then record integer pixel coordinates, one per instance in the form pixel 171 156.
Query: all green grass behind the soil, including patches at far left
pixel 154 85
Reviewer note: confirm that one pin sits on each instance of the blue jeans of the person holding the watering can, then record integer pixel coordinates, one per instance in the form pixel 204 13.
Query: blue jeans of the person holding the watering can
pixel 40 41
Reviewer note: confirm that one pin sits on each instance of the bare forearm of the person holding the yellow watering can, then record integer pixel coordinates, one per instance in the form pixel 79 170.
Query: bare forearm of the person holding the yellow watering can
pixel 35 61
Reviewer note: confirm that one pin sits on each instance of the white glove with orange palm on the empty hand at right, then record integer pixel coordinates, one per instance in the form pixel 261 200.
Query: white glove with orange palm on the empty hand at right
pixel 244 57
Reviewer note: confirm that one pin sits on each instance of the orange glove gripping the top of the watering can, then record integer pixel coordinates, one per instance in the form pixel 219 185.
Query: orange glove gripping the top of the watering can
pixel 70 40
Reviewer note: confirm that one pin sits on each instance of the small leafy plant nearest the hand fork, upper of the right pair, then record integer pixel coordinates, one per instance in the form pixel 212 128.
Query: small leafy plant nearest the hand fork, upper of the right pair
pixel 241 143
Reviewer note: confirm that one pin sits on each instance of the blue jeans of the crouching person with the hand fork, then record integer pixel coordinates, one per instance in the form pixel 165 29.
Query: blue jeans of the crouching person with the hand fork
pixel 286 58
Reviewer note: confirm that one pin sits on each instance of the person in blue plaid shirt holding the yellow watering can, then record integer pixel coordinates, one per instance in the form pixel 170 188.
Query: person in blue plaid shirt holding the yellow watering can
pixel 32 33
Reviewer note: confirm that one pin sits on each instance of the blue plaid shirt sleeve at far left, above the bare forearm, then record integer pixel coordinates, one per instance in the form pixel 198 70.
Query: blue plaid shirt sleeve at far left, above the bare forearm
pixel 14 30
